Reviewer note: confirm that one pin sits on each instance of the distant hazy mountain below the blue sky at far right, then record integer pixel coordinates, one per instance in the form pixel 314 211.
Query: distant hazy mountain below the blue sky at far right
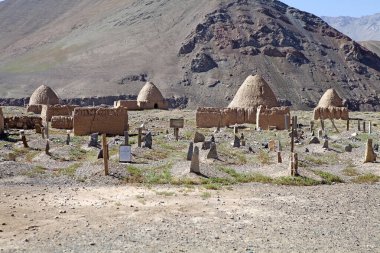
pixel 359 29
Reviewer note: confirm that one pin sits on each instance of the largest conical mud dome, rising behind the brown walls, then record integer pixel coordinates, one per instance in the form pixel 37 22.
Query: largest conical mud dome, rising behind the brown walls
pixel 253 92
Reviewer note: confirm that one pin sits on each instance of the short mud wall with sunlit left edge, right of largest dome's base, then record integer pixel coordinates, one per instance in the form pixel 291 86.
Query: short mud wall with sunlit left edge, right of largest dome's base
pixel 271 117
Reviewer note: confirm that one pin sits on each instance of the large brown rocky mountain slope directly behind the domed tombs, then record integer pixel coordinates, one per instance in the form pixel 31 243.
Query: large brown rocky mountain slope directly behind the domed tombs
pixel 199 49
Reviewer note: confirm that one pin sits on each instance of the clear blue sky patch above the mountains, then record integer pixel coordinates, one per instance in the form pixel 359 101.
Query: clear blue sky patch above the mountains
pixel 353 8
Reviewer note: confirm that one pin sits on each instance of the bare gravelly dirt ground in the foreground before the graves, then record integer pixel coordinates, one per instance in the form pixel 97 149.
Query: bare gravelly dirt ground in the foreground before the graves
pixel 247 218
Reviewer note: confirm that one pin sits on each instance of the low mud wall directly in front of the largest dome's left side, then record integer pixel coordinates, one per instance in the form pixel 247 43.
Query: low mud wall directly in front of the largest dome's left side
pixel 207 117
